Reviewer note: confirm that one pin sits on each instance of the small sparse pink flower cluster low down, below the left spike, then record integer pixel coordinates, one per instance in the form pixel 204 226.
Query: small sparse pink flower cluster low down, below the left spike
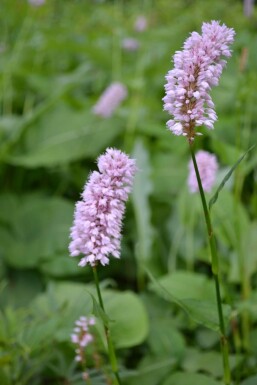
pixel 81 336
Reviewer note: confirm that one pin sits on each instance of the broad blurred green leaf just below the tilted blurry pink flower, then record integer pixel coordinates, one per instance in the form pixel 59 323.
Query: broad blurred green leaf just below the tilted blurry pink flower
pixel 63 135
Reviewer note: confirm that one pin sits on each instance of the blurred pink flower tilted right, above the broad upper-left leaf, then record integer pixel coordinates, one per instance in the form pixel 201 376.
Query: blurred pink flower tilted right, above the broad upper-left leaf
pixel 110 99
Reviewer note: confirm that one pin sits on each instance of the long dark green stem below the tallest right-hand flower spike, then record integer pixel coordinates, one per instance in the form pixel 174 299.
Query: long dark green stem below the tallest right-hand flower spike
pixel 215 272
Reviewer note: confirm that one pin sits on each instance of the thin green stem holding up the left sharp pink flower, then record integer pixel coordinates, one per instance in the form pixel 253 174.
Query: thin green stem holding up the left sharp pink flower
pixel 111 350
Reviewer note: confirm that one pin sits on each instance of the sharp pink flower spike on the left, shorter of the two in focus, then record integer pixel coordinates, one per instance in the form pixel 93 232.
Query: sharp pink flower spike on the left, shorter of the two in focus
pixel 96 231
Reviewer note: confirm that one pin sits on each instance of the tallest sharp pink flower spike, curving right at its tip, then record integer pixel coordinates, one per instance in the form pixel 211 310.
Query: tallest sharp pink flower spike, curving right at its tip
pixel 196 70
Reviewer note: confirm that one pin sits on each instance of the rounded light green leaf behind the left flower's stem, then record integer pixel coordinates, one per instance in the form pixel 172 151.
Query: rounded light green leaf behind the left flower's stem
pixel 128 328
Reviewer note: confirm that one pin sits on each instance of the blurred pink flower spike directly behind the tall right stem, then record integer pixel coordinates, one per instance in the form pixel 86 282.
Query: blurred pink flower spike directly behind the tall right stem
pixel 208 167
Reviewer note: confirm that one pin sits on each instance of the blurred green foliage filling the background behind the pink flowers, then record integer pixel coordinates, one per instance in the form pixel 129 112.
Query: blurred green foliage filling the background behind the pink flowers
pixel 55 61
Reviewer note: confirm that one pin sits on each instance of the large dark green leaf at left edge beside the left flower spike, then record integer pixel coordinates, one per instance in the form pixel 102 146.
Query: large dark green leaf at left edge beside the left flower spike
pixel 34 227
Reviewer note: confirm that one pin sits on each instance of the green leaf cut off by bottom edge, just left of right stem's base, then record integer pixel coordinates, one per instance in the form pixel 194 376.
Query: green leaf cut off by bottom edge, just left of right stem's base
pixel 180 378
